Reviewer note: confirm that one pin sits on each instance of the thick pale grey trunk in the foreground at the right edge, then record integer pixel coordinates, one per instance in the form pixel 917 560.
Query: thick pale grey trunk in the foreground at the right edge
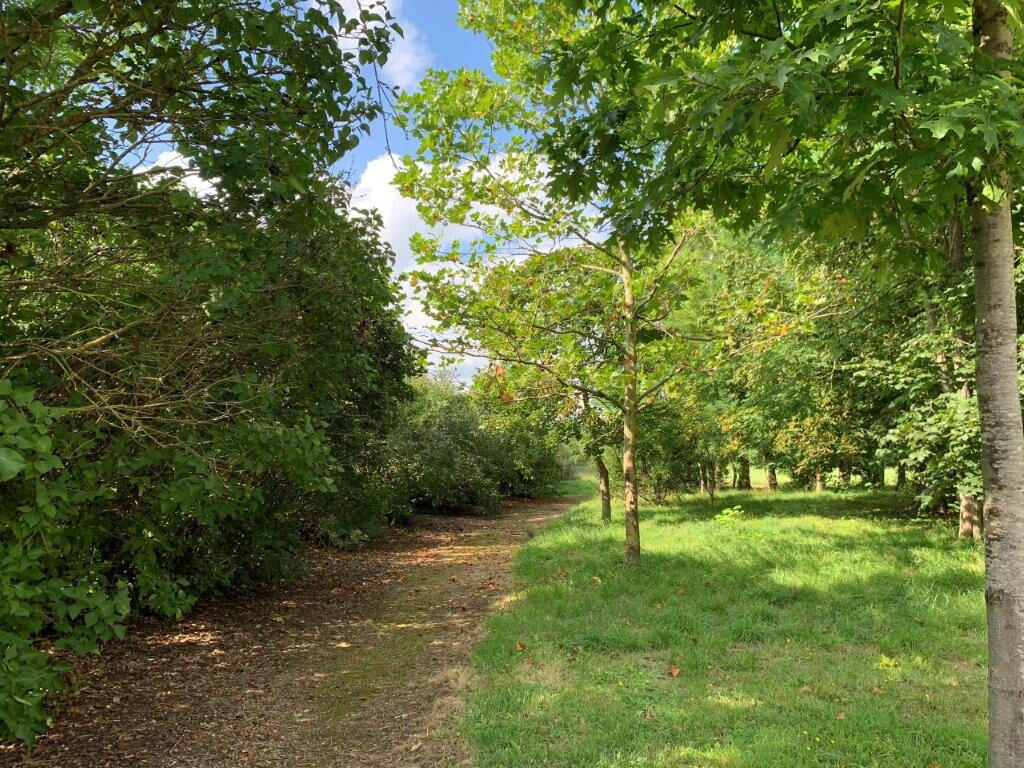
pixel 1002 438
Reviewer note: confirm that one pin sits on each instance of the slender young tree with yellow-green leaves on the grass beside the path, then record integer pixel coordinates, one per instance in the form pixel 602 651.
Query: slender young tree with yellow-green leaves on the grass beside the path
pixel 478 168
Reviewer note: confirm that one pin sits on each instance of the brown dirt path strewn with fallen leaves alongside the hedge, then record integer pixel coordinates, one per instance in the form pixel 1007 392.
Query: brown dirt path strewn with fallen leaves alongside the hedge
pixel 360 665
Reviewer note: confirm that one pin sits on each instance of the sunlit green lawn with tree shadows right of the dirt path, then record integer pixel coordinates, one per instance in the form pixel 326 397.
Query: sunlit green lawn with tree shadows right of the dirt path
pixel 813 630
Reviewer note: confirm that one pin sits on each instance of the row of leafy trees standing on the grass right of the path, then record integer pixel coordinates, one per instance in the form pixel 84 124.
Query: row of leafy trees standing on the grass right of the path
pixel 852 153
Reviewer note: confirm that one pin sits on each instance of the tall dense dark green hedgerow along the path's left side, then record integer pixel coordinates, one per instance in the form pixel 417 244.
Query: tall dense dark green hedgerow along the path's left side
pixel 200 342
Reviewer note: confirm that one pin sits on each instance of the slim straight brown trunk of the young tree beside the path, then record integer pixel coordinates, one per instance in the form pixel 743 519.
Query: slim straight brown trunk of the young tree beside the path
pixel 630 416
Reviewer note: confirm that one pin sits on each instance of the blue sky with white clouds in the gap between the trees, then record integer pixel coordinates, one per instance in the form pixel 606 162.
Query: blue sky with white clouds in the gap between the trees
pixel 433 38
